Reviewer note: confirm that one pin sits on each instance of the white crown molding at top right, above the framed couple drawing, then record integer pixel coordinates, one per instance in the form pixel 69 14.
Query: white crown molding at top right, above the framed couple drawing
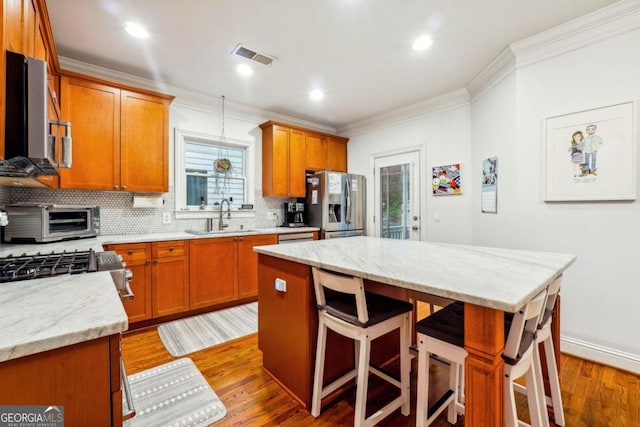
pixel 610 21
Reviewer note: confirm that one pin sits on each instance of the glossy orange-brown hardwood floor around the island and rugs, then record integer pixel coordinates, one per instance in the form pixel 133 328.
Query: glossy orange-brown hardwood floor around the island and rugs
pixel 594 395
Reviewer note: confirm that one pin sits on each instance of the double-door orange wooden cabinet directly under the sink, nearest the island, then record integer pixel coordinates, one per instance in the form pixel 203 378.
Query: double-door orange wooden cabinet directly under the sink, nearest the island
pixel 224 269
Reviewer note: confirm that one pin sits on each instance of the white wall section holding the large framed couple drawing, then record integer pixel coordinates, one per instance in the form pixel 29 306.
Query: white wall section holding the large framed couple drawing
pixel 601 290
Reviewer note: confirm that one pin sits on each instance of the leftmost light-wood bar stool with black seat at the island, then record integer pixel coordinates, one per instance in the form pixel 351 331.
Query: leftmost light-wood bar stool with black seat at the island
pixel 350 311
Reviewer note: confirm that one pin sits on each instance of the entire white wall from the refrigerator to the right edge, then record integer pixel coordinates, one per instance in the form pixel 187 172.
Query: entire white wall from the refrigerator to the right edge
pixel 600 293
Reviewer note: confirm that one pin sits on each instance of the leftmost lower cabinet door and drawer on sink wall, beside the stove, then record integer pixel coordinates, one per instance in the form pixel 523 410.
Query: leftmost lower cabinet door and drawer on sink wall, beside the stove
pixel 138 259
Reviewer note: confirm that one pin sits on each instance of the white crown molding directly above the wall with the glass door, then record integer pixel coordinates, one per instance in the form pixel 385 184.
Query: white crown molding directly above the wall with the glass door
pixel 447 101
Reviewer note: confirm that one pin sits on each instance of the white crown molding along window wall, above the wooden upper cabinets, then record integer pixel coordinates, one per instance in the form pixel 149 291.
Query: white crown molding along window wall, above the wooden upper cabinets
pixel 189 99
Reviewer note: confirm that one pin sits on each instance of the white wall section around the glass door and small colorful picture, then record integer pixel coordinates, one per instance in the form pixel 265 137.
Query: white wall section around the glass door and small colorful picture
pixel 444 138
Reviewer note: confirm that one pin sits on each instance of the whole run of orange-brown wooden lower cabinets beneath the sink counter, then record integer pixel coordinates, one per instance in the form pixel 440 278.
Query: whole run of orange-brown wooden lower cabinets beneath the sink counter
pixel 173 277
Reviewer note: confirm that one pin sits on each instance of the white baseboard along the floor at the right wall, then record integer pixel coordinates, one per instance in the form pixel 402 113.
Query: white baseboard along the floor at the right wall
pixel 597 353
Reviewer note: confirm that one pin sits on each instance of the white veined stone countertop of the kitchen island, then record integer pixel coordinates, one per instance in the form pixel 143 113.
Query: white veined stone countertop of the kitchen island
pixel 504 279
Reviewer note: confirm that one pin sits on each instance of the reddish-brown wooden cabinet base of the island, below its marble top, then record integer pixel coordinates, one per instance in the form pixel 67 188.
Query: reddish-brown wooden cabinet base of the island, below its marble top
pixel 288 329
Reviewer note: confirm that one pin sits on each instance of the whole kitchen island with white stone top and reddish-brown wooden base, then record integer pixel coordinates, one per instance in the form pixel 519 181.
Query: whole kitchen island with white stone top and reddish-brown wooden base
pixel 490 281
